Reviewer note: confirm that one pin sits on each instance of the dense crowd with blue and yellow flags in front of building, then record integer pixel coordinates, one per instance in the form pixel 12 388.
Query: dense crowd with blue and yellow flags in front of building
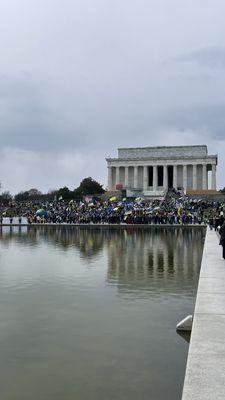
pixel 172 209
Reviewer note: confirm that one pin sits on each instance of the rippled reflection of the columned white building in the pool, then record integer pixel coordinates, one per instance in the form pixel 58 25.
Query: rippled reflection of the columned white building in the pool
pixel 141 258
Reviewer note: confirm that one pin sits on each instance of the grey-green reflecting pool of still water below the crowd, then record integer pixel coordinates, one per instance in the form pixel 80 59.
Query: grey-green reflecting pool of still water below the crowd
pixel 89 313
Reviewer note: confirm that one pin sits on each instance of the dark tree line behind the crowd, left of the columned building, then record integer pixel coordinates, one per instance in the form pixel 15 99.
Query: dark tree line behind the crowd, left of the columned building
pixel 88 186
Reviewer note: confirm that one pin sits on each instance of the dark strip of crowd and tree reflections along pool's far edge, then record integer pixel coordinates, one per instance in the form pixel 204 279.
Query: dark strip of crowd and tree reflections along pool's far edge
pixel 88 238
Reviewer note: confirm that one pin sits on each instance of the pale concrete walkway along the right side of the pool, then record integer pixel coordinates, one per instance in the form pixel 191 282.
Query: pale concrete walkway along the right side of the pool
pixel 205 372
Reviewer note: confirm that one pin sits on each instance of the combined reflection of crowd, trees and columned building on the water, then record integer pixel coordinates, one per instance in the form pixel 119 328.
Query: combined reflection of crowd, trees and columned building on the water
pixel 138 258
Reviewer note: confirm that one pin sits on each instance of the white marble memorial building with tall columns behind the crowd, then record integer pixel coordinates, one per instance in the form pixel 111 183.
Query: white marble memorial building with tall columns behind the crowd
pixel 152 170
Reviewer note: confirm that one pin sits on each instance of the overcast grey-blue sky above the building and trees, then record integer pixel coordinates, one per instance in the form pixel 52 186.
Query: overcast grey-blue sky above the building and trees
pixel 80 78
